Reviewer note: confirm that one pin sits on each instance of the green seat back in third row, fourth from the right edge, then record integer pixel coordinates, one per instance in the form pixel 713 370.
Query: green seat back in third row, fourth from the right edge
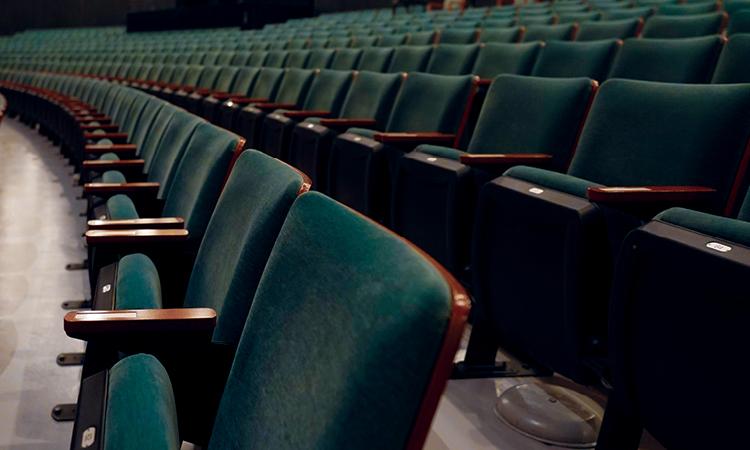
pixel 498 58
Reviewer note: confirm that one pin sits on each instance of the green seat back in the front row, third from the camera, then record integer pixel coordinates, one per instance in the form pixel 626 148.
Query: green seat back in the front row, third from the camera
pixel 199 177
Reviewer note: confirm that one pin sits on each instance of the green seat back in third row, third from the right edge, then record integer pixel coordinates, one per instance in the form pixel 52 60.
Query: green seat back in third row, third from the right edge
pixel 591 59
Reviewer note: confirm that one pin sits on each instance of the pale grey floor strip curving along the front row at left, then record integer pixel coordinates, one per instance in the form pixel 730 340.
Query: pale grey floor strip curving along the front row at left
pixel 40 232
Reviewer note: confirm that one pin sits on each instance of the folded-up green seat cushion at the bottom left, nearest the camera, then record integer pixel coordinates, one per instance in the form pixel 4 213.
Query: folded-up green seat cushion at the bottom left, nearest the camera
pixel 140 412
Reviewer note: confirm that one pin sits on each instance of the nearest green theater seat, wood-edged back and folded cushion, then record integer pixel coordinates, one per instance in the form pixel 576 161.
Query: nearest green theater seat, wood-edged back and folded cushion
pixel 265 393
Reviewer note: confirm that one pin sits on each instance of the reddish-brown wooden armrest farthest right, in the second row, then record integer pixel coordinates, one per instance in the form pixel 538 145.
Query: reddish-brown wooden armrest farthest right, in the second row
pixel 650 194
